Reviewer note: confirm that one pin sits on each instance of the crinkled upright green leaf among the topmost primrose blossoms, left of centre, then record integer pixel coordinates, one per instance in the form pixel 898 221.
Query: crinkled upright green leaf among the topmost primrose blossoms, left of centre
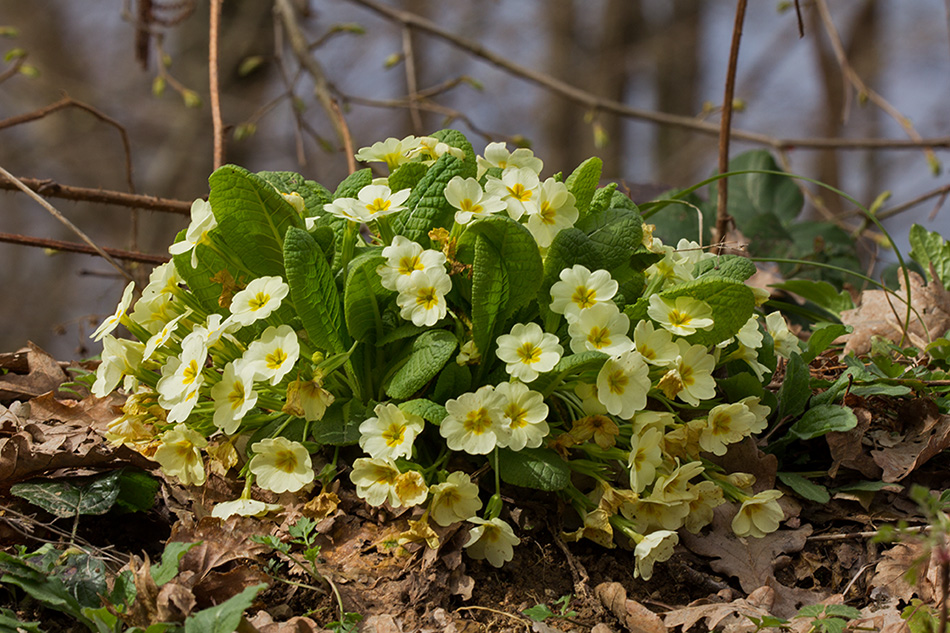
pixel 427 207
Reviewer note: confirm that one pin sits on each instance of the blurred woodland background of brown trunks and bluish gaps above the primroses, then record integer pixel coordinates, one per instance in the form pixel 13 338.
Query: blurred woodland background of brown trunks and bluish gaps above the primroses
pixel 145 66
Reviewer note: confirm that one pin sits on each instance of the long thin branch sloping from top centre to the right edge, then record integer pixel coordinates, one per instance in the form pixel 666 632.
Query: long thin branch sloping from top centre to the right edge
pixel 606 105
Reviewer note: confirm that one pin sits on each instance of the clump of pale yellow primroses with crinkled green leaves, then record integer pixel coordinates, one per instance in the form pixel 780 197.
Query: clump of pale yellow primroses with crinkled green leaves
pixel 465 321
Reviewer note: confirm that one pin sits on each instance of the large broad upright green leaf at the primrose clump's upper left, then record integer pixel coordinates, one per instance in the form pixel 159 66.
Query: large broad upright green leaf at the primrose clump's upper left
pixel 253 219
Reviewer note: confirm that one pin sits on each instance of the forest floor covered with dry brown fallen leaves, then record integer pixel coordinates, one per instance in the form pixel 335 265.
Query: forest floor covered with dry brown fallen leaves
pixel 823 553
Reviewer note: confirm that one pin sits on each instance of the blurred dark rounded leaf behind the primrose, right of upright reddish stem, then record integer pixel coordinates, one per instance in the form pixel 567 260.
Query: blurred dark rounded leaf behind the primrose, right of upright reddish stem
pixel 759 196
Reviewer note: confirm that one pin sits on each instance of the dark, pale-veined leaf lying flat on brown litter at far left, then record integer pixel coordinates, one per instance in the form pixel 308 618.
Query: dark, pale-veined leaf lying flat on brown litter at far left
pixel 69 497
